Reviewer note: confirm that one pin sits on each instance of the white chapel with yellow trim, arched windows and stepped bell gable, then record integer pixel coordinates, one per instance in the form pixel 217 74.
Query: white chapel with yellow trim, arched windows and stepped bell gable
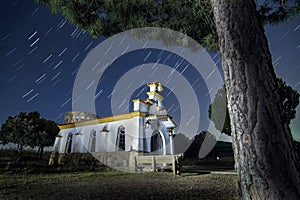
pixel 147 129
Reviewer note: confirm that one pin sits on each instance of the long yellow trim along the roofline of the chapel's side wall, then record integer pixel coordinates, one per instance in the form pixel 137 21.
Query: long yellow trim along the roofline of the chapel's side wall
pixel 103 120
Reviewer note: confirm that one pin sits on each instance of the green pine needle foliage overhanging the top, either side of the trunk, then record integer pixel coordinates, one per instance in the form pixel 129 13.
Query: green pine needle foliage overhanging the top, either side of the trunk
pixel 193 18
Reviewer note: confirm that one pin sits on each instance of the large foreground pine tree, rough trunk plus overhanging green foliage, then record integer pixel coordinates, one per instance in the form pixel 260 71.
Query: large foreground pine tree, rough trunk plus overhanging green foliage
pixel 267 165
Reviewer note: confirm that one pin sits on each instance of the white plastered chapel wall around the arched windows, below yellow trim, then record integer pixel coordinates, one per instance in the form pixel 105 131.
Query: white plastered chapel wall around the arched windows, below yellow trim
pixel 137 136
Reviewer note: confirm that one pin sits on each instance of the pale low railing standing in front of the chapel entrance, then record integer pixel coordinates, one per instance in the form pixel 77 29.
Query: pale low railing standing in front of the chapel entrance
pixel 140 162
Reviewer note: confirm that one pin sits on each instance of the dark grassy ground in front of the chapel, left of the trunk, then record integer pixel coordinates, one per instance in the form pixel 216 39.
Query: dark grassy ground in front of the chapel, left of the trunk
pixel 33 179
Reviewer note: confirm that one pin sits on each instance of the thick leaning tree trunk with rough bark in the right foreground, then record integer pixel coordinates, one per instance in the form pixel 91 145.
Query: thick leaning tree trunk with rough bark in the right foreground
pixel 266 163
